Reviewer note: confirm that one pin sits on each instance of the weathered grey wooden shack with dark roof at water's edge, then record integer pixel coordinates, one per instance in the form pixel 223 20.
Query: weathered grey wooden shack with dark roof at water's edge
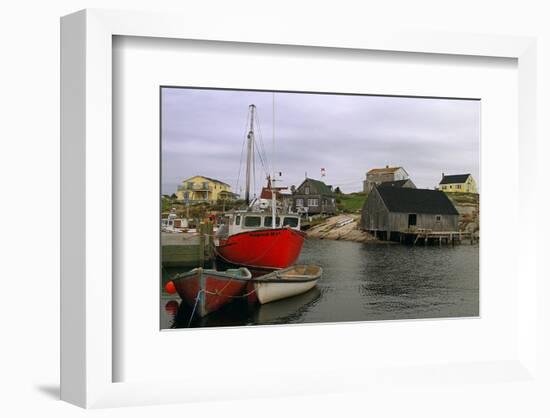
pixel 391 211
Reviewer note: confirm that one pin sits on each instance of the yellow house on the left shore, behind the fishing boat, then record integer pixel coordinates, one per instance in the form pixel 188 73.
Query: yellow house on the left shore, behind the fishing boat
pixel 203 189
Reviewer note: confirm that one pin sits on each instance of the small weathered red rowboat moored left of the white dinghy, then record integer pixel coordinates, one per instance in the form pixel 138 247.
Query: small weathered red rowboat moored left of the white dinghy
pixel 208 290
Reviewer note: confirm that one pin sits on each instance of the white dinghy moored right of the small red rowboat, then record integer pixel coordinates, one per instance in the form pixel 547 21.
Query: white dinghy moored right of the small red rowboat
pixel 287 282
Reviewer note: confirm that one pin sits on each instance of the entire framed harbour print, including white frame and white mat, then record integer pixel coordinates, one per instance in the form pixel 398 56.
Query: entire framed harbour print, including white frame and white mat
pixel 326 210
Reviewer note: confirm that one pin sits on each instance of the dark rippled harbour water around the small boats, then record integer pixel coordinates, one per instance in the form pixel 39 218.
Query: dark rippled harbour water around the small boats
pixel 360 282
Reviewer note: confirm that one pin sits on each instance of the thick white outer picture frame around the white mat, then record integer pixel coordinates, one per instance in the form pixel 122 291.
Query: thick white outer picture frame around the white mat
pixel 86 129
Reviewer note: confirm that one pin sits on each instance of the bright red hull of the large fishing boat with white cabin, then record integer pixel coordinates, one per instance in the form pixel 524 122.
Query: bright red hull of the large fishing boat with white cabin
pixel 268 248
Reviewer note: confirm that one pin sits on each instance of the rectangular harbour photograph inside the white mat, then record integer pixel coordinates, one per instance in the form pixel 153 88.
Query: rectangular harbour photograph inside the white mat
pixel 330 254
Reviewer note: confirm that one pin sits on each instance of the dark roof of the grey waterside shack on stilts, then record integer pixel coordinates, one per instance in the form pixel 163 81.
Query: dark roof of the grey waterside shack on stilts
pixel 403 199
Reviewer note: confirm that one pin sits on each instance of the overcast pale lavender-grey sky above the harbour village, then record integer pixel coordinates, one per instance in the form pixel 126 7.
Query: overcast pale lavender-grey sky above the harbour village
pixel 203 132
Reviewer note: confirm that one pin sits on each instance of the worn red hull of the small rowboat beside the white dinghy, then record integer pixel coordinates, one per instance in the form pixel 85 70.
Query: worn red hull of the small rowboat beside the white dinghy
pixel 212 291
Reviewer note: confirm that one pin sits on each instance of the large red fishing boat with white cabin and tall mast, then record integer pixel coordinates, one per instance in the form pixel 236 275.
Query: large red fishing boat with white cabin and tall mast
pixel 262 236
